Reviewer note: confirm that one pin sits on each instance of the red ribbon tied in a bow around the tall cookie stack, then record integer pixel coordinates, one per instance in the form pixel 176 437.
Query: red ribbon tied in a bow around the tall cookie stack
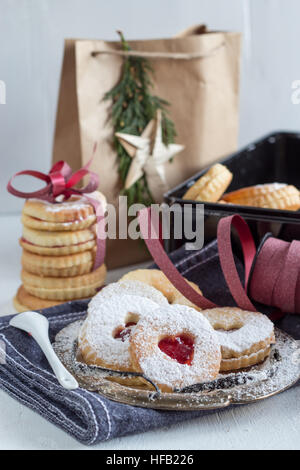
pixel 60 181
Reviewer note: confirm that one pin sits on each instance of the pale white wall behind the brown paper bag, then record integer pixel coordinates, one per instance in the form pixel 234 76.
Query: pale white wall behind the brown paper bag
pixel 31 46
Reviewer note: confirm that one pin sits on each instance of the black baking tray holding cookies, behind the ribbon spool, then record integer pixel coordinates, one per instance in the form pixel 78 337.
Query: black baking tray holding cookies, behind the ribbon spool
pixel 274 158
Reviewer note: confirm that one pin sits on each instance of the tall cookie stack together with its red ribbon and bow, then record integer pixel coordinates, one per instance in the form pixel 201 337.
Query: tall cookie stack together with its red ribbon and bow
pixel 63 237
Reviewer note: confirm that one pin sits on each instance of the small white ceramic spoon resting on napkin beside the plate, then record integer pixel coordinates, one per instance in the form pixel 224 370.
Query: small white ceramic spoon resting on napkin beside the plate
pixel 38 326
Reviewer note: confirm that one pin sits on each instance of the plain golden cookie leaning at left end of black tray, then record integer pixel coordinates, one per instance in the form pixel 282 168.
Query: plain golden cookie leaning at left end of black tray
pixel 211 186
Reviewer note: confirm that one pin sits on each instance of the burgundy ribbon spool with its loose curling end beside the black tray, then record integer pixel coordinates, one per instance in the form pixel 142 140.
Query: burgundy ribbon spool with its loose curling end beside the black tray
pixel 272 273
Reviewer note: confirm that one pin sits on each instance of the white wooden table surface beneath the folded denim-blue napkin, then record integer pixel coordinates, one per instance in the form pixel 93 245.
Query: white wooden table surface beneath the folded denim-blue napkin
pixel 271 424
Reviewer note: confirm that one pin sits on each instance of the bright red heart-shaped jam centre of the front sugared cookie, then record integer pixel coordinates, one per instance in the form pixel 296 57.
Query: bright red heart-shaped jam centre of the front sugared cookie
pixel 180 348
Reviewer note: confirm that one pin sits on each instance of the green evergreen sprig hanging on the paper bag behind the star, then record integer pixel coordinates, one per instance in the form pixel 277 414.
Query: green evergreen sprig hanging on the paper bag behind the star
pixel 133 106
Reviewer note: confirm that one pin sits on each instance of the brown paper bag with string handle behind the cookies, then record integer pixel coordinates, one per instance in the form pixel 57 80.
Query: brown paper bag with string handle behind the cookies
pixel 197 72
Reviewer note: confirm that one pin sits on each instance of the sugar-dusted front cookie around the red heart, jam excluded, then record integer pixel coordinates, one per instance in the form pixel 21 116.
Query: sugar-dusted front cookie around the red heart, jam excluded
pixel 172 321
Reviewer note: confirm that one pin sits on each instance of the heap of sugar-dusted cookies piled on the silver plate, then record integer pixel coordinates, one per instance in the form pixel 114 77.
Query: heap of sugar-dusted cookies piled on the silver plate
pixel 131 327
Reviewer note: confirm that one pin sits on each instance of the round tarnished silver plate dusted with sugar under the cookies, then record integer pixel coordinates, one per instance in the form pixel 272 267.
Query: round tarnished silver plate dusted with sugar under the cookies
pixel 278 373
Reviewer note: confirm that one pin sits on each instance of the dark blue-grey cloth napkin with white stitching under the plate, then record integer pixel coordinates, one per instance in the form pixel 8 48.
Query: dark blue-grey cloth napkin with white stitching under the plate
pixel 88 416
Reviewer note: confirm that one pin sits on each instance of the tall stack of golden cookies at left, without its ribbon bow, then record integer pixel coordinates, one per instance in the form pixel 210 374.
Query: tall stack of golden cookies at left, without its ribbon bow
pixel 59 247
